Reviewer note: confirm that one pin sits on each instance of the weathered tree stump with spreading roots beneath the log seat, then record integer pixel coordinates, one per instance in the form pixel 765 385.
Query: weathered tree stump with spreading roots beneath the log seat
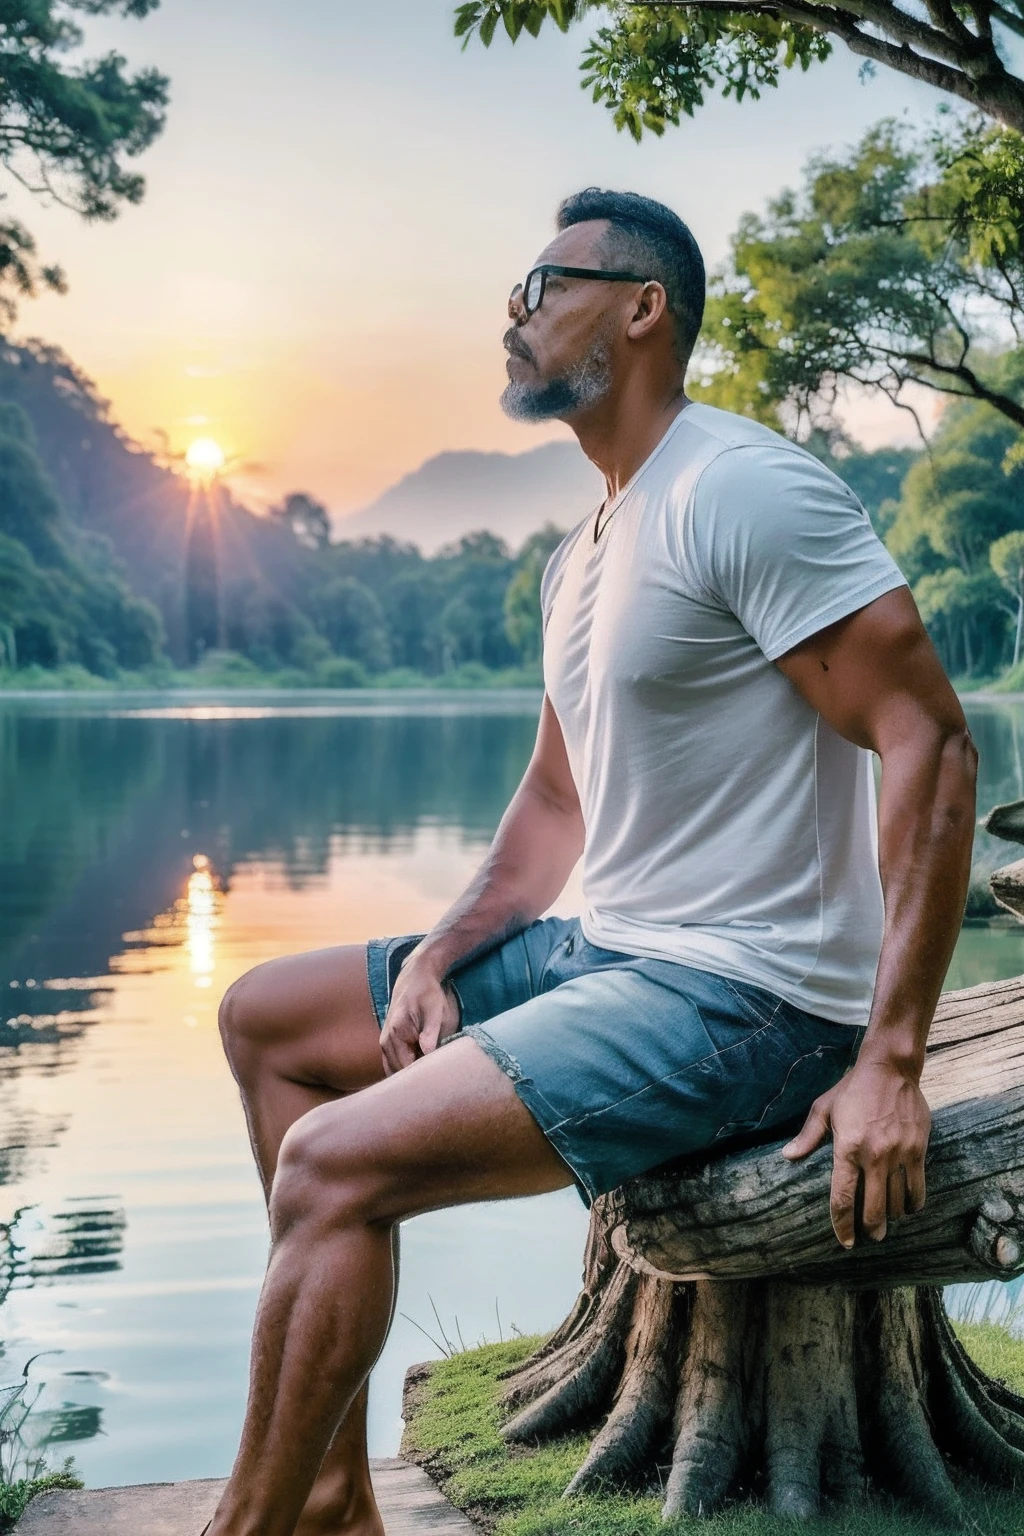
pixel 808 1397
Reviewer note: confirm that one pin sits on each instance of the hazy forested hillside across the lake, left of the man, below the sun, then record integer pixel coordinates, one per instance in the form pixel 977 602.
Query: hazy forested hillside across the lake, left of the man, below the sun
pixel 111 566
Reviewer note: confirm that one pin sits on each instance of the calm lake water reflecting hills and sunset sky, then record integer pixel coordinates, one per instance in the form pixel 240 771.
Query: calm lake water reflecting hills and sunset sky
pixel 148 856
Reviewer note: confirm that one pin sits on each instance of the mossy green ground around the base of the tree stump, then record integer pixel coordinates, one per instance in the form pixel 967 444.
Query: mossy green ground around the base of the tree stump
pixel 515 1492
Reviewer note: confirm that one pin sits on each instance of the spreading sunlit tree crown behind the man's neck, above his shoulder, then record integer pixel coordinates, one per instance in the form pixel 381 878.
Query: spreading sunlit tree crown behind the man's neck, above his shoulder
pixel 897 263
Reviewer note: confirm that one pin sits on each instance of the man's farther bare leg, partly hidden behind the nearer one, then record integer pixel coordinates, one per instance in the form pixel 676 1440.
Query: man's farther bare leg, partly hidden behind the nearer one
pixel 300 1033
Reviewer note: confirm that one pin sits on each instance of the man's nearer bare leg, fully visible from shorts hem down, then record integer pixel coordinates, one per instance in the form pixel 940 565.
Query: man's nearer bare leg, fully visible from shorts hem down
pixel 444 1131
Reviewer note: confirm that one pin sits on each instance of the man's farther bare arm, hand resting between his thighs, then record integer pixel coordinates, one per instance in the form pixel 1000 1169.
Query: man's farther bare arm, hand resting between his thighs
pixel 532 856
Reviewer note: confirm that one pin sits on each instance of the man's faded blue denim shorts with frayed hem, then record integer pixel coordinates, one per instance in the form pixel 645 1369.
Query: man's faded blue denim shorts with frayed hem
pixel 627 1064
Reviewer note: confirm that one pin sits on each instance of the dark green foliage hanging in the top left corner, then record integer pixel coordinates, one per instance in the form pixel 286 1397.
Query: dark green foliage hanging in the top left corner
pixel 68 127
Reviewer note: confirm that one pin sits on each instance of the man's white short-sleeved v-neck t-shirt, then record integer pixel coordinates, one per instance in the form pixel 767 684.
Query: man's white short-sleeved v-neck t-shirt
pixel 728 826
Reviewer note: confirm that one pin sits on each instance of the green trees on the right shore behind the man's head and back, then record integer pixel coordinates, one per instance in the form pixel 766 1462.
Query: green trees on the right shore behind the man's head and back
pixel 897 268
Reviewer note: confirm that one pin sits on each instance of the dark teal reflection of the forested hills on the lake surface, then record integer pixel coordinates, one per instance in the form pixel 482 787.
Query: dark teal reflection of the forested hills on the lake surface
pixel 104 813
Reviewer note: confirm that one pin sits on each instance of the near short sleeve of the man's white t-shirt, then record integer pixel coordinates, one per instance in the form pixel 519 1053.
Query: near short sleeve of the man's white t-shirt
pixel 785 545
